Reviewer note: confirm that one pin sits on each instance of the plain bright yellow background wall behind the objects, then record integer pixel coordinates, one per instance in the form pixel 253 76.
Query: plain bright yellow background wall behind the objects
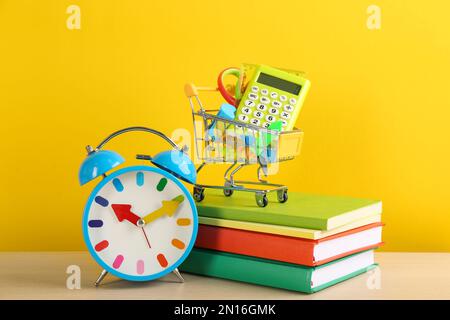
pixel 376 120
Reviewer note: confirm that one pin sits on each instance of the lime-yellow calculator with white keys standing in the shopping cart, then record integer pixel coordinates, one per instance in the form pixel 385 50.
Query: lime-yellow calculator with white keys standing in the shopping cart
pixel 272 94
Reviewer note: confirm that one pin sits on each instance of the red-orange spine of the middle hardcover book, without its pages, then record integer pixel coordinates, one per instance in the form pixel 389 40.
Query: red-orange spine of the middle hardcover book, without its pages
pixel 256 244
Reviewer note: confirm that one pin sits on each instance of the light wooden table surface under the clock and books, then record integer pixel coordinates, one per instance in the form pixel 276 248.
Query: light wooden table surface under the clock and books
pixel 42 275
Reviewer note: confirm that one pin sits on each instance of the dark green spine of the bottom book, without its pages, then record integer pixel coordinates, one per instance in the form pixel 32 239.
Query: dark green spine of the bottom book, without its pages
pixel 247 269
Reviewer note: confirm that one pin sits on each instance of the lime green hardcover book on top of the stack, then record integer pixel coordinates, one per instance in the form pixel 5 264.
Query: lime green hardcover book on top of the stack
pixel 302 210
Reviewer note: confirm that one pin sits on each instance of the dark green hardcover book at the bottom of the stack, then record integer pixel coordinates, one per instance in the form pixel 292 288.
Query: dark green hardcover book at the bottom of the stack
pixel 276 274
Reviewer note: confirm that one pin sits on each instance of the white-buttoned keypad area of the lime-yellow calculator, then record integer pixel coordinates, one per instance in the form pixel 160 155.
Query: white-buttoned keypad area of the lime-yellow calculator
pixel 262 107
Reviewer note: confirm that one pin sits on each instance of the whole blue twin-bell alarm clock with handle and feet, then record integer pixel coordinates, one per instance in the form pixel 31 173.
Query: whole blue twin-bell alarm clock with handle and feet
pixel 140 222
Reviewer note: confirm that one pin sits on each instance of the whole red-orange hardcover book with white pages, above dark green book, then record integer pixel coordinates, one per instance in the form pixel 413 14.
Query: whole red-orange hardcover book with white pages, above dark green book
pixel 290 249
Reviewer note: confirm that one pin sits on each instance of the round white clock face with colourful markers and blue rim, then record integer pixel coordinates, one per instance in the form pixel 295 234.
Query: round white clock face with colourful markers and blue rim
pixel 140 223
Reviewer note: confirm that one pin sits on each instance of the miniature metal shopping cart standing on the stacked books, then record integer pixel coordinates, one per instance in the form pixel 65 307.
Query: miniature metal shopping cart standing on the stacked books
pixel 220 140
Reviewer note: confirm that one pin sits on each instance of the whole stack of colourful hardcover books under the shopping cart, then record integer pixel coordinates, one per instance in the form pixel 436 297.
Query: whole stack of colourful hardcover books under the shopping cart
pixel 306 244
